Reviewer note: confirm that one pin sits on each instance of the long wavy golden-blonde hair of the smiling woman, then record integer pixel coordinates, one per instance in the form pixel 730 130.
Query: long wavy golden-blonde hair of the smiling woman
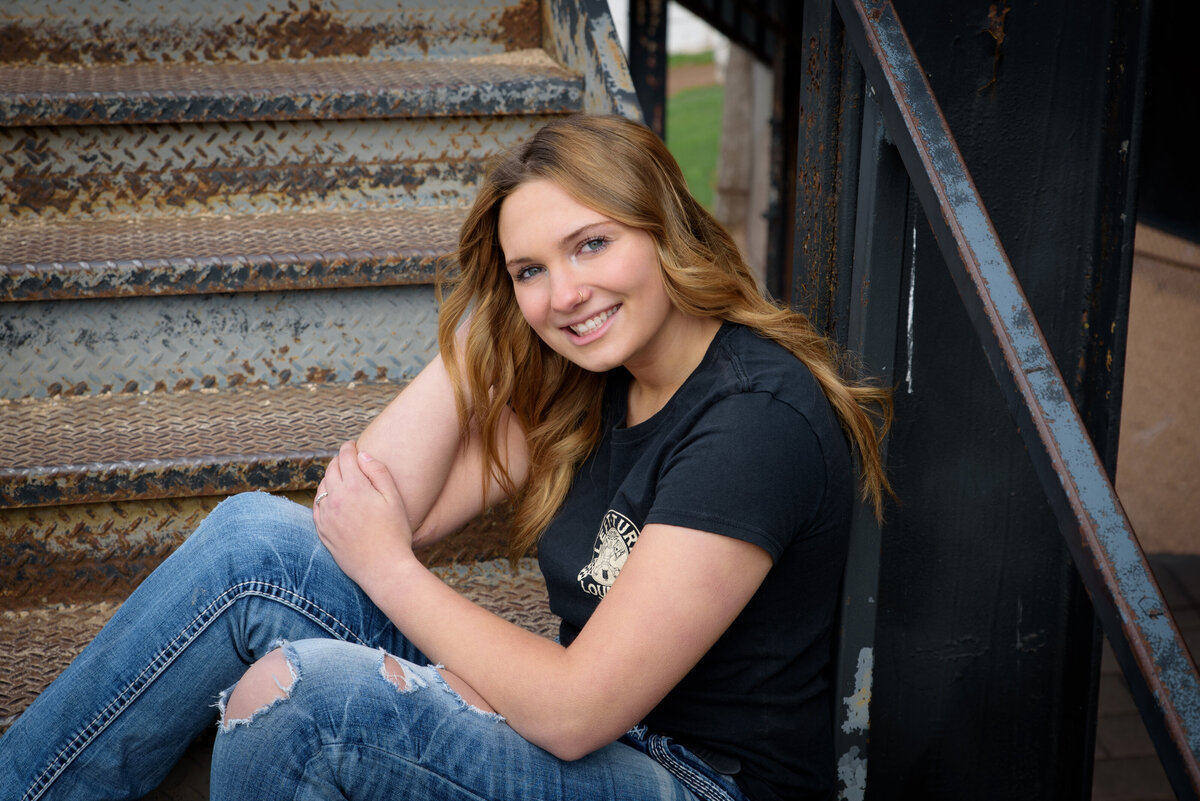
pixel 625 172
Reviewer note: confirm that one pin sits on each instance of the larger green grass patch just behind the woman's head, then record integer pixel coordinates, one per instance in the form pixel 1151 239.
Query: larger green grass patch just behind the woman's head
pixel 694 137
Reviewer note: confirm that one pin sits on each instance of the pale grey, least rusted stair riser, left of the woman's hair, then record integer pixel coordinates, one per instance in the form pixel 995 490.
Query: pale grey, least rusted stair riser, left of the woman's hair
pixel 215 341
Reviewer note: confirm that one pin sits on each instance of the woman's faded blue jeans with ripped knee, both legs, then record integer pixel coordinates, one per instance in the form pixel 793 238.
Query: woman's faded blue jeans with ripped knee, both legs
pixel 255 575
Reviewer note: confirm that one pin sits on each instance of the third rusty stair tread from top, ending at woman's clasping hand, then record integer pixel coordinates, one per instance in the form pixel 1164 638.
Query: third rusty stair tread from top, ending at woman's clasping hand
pixel 176 444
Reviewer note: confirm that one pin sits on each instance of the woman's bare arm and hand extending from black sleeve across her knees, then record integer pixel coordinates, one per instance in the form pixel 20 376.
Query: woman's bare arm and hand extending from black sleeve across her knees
pixel 679 592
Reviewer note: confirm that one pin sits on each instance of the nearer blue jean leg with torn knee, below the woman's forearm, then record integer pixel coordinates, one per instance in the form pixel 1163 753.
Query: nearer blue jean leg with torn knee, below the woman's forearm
pixel 356 722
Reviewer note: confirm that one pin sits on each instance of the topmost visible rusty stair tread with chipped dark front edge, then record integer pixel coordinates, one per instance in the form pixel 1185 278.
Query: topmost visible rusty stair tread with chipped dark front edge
pixel 526 82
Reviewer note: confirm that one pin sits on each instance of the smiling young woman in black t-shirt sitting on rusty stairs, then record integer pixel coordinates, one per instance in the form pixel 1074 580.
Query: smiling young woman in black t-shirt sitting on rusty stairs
pixel 609 364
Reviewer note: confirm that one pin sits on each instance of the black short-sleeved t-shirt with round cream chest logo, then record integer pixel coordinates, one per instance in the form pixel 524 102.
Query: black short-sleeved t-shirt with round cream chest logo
pixel 748 448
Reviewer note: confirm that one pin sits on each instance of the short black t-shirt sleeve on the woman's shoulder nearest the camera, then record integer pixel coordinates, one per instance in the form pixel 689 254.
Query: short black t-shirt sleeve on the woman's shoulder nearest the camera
pixel 751 468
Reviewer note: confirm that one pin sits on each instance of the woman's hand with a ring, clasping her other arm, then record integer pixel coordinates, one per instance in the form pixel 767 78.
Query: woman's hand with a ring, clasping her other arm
pixel 362 519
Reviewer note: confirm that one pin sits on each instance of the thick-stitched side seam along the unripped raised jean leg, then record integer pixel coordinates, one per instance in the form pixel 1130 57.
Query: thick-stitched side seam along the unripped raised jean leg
pixel 169 654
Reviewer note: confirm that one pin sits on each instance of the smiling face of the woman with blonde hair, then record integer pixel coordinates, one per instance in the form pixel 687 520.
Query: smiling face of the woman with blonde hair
pixel 589 286
